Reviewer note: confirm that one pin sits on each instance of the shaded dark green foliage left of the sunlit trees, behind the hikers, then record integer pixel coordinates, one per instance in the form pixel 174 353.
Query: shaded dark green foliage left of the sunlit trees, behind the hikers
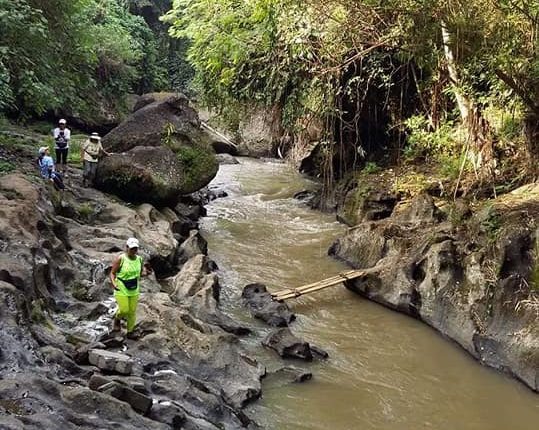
pixel 72 55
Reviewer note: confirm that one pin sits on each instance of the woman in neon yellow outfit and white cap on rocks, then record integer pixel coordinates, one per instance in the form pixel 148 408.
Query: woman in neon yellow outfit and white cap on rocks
pixel 125 275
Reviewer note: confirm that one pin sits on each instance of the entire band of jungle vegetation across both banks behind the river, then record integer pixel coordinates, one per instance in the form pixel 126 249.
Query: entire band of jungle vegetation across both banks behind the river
pixel 451 83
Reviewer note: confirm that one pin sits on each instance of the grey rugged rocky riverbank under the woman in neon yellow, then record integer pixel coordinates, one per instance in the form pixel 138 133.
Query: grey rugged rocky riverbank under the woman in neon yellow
pixel 58 366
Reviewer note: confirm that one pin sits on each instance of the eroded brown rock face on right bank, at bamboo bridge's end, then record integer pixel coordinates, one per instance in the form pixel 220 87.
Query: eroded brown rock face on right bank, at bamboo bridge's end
pixel 471 274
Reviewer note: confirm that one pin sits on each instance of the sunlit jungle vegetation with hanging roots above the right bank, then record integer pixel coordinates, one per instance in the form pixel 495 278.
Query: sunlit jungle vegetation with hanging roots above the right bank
pixel 453 82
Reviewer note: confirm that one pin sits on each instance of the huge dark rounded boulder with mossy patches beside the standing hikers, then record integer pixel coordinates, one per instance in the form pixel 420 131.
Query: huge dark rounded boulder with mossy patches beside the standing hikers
pixel 160 151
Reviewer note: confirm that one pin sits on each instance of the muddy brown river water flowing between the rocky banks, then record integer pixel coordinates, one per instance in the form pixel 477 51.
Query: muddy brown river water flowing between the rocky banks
pixel 386 371
